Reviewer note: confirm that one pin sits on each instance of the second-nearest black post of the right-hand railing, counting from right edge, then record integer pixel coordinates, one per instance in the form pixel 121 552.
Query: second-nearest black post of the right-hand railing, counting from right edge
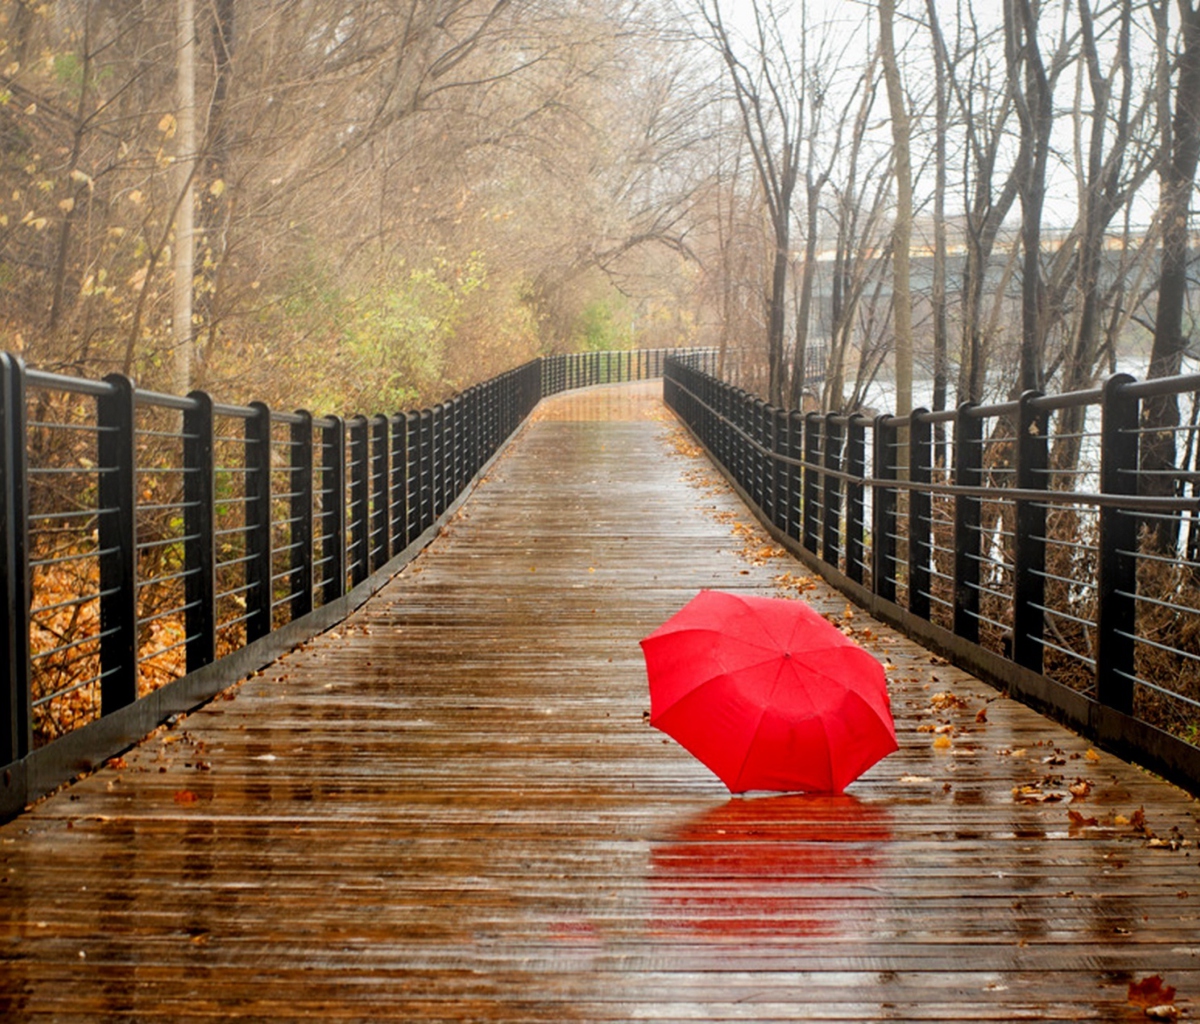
pixel 1029 548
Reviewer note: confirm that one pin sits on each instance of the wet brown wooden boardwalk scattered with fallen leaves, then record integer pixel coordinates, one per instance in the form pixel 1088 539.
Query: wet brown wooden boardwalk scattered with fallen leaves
pixel 452 809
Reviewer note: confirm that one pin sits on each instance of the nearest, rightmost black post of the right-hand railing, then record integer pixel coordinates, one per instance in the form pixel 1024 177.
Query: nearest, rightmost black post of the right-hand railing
pixel 1118 572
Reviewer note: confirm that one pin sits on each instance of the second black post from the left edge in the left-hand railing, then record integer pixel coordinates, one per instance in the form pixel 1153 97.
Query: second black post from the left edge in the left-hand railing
pixel 117 532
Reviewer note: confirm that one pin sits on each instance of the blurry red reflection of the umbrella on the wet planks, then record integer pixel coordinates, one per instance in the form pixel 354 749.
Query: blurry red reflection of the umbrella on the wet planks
pixel 796 866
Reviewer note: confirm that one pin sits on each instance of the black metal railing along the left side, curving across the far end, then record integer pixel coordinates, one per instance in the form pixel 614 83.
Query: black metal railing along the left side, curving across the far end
pixel 157 548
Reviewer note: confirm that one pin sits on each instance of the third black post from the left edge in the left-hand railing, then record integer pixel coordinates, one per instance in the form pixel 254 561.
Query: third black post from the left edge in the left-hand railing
pixel 200 529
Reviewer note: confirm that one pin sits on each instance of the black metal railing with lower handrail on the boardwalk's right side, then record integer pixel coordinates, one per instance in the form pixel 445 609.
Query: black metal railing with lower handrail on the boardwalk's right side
pixel 1023 541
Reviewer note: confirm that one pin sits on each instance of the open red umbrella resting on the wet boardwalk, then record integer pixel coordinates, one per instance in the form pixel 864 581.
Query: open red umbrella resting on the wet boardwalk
pixel 769 694
